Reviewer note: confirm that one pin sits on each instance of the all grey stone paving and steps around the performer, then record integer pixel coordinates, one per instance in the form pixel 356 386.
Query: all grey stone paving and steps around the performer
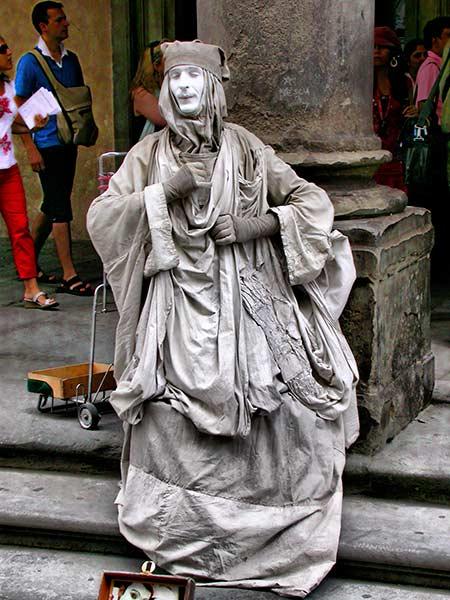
pixel 58 530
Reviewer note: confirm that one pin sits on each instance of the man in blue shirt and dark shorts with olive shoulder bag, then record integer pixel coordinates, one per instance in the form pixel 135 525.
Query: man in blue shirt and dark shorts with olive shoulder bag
pixel 53 150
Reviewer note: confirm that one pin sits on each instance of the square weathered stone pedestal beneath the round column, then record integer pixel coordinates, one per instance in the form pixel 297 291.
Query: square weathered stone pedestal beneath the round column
pixel 387 321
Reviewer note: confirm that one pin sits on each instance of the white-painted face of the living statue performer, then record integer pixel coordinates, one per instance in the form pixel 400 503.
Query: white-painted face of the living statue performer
pixel 186 83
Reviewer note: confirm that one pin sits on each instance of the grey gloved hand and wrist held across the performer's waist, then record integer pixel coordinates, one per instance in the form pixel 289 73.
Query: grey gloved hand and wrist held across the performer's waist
pixel 229 229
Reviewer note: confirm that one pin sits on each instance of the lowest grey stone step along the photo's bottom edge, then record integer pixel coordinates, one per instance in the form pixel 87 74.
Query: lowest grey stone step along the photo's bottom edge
pixel 43 574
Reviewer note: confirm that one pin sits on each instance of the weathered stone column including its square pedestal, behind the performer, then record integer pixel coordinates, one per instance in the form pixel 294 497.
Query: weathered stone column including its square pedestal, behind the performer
pixel 301 79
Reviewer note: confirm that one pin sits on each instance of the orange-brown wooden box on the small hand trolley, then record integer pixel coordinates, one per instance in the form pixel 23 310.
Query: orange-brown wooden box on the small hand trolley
pixel 64 380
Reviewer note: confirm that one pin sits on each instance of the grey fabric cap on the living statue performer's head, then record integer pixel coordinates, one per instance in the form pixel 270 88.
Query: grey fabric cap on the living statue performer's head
pixel 208 57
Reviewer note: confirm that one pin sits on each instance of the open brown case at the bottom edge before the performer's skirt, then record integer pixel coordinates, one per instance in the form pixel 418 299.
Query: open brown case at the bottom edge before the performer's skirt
pixel 145 586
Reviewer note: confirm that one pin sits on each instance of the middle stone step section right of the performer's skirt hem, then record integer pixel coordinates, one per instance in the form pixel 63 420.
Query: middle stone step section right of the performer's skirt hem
pixel 395 540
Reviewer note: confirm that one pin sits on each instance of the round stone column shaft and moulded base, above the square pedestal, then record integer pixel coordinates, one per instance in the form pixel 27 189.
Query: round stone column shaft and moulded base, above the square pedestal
pixel 302 81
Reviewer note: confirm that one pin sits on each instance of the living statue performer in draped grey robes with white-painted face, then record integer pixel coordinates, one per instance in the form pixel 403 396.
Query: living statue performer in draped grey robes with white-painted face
pixel 235 384
